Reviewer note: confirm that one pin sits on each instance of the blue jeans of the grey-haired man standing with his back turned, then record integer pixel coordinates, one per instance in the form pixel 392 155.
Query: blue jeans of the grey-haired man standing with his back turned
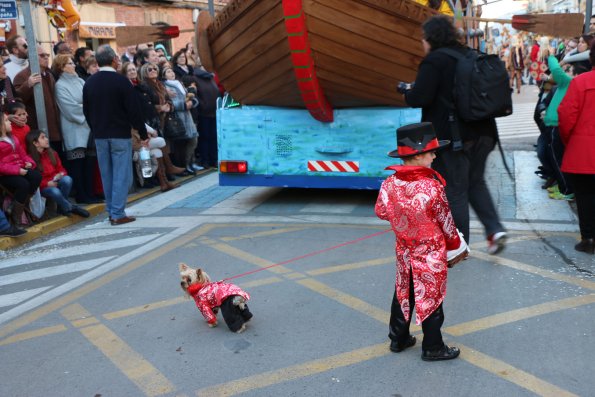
pixel 115 165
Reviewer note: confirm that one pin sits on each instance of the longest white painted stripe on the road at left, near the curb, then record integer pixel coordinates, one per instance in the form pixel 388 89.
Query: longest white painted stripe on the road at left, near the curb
pixel 78 250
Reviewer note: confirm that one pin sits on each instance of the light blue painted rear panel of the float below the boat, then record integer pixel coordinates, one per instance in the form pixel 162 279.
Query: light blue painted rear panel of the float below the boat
pixel 280 141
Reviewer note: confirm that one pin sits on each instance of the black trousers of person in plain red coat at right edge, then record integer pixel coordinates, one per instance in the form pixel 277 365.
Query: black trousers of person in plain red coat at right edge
pixel 584 193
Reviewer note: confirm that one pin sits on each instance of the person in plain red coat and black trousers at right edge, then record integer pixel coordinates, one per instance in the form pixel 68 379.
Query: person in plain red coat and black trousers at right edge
pixel 577 131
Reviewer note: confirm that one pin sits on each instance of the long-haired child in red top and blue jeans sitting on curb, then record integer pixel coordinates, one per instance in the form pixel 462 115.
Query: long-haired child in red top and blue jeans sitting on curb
pixel 55 183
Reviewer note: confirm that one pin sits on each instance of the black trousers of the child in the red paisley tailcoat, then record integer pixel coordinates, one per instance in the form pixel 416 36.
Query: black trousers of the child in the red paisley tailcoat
pixel 399 328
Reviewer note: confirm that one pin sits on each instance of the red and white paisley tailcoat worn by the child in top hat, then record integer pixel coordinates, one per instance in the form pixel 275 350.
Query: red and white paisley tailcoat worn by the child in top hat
pixel 414 202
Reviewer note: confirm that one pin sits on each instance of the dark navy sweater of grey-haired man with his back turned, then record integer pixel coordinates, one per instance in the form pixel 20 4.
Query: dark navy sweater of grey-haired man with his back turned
pixel 112 107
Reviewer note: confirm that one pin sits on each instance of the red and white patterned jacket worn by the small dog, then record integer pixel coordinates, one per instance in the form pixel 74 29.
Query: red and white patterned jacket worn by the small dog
pixel 210 295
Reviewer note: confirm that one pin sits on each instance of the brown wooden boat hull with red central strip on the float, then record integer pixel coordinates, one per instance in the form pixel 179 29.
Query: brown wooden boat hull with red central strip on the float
pixel 314 54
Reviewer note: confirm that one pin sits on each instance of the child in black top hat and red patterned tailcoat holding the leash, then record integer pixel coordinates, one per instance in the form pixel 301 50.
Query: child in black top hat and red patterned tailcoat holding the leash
pixel 413 200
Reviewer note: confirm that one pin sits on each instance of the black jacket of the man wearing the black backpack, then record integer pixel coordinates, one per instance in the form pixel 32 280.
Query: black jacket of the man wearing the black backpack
pixel 432 91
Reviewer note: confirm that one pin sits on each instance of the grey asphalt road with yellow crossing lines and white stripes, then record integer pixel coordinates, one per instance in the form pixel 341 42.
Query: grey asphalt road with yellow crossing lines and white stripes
pixel 97 310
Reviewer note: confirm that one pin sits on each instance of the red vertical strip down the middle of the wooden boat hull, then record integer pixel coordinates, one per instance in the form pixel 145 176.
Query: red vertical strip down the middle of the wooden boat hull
pixel 303 63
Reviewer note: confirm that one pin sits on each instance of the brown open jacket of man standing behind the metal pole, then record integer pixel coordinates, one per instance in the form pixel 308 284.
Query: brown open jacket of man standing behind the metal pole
pixel 52 113
